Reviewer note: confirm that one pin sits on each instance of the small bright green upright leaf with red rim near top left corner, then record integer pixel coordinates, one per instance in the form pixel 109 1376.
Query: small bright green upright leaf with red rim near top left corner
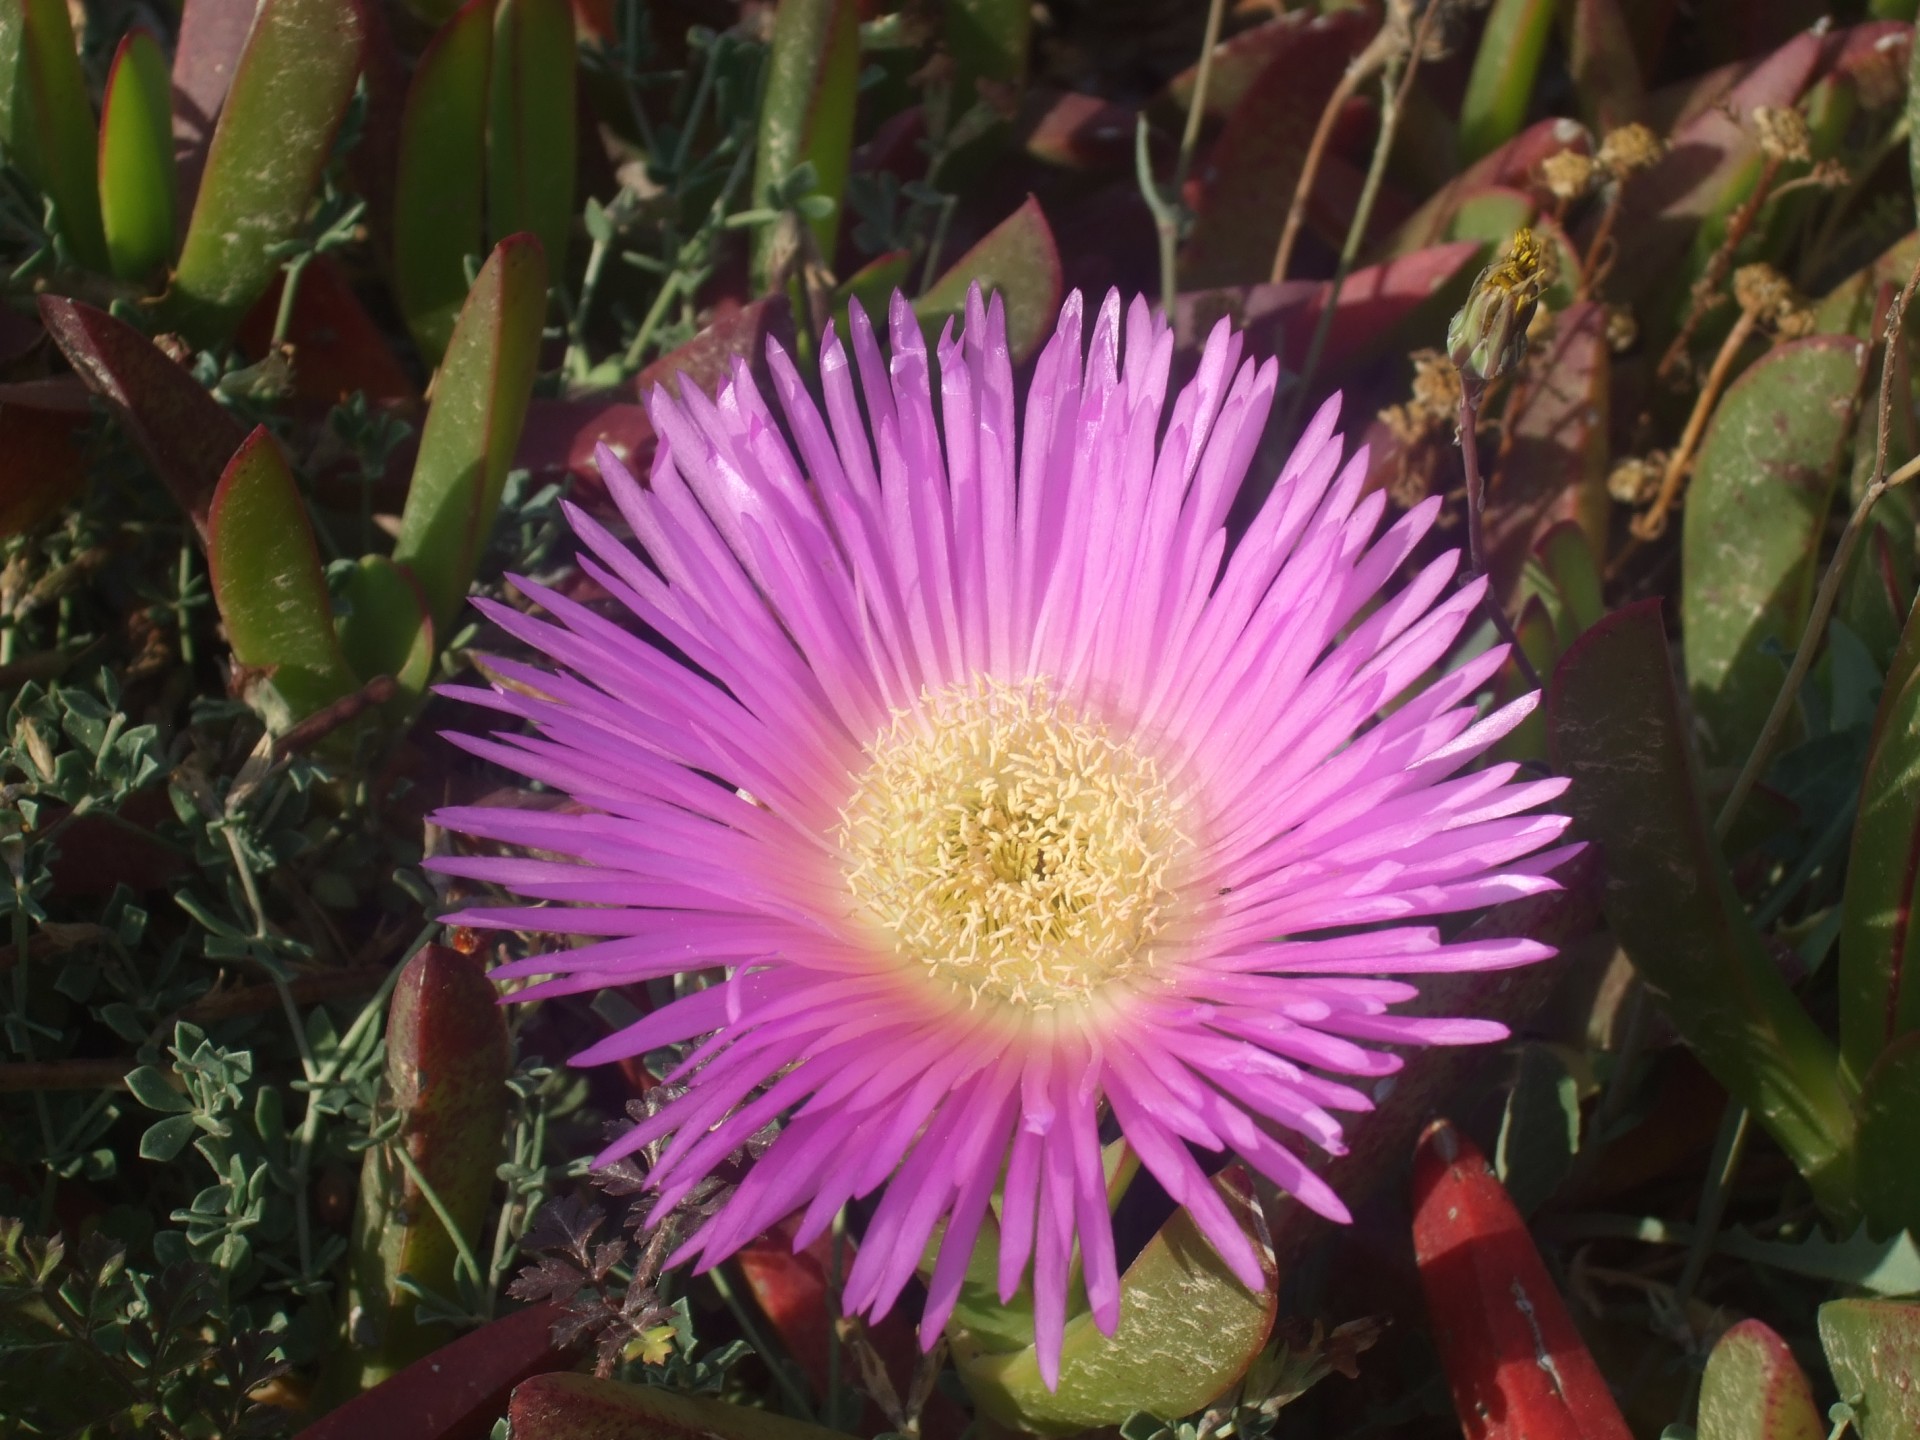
pixel 137 181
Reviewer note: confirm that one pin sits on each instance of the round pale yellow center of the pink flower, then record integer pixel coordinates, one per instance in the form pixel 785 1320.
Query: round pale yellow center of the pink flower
pixel 1011 846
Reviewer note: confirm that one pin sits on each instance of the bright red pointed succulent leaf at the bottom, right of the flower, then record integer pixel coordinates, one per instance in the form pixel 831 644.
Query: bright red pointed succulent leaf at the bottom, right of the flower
pixel 1512 1355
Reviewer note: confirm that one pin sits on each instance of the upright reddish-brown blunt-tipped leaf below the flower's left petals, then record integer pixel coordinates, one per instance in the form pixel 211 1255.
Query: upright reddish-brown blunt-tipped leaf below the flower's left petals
pixel 446 1076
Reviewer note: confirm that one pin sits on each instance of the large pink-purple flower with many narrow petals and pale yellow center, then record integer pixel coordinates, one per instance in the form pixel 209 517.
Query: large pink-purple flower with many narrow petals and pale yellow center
pixel 997 796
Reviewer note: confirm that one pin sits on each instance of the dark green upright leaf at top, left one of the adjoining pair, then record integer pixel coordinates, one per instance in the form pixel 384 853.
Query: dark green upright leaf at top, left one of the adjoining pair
pixel 441 195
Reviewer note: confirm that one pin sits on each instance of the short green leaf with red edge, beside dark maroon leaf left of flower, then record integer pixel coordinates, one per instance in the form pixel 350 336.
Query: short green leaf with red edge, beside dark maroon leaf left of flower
pixel 268 581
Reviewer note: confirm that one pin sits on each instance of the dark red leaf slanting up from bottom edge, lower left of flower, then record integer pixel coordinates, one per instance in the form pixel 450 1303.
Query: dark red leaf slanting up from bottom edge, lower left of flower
pixel 460 1391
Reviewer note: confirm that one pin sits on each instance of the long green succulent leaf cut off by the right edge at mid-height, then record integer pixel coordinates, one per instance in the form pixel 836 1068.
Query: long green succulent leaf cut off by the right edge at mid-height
pixel 1879 942
